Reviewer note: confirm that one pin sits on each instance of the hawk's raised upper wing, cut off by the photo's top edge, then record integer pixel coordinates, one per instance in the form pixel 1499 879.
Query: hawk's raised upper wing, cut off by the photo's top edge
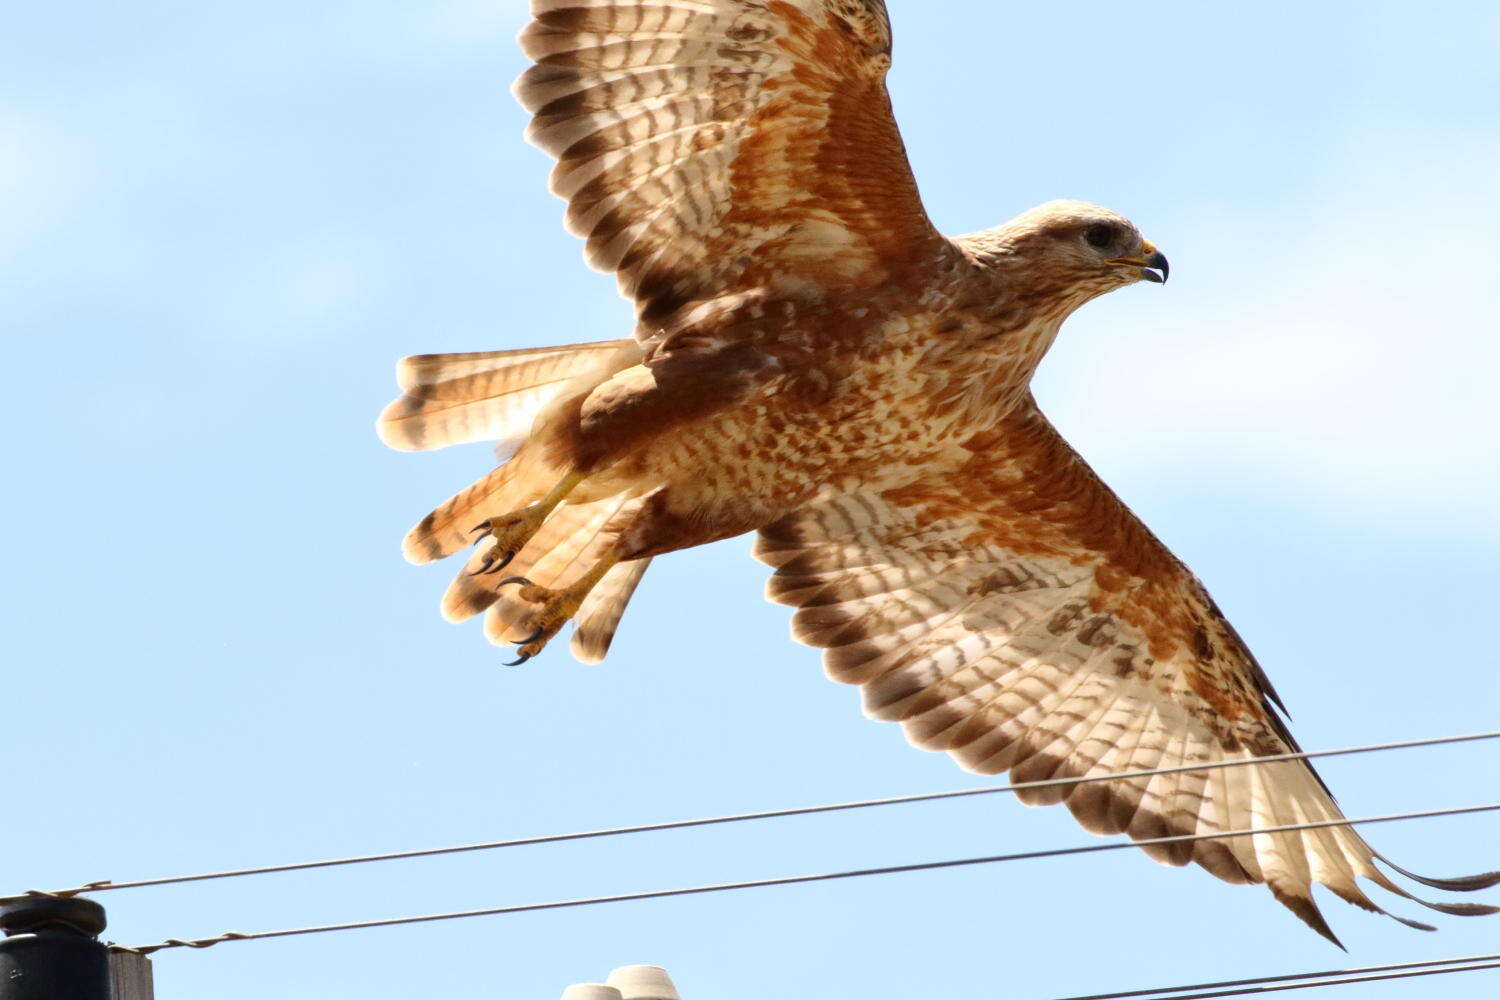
pixel 719 146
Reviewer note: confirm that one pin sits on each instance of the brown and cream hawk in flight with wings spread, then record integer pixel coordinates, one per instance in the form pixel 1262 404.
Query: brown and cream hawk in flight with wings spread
pixel 812 361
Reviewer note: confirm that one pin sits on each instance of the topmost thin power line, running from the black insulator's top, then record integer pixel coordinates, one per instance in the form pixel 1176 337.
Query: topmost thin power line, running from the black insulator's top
pixel 104 885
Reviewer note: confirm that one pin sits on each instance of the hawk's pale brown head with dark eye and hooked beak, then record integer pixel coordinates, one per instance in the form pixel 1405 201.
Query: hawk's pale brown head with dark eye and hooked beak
pixel 1078 251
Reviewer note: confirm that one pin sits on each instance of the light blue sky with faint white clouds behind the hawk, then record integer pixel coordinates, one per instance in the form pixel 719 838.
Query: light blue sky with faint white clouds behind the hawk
pixel 224 223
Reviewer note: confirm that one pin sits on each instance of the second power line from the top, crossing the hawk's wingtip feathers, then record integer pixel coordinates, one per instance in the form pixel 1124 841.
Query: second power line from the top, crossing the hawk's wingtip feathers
pixel 791 881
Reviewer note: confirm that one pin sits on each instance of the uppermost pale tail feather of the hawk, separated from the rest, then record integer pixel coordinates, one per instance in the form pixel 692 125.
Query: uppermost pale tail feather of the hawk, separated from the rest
pixel 488 397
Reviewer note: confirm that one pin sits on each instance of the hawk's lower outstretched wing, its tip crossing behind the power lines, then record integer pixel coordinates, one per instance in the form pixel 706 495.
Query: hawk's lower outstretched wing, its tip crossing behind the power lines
pixel 1016 615
